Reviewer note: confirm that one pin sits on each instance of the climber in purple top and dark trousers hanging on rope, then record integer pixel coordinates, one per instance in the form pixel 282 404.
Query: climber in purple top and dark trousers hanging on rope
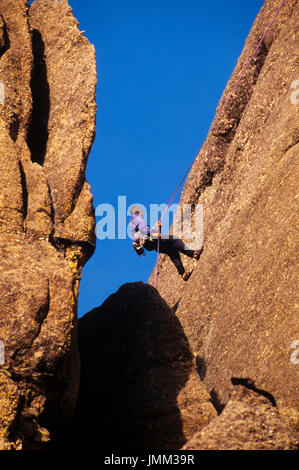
pixel 144 239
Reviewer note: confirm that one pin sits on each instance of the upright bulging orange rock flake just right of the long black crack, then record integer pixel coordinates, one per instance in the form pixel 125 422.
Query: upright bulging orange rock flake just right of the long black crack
pixel 69 57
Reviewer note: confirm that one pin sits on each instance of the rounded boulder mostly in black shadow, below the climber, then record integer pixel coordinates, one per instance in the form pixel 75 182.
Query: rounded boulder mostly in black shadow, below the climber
pixel 139 385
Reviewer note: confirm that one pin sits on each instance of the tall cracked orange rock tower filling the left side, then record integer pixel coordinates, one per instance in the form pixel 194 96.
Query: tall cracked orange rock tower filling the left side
pixel 46 216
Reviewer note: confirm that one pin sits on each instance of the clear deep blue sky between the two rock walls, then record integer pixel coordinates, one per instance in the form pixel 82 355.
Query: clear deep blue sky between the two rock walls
pixel 162 68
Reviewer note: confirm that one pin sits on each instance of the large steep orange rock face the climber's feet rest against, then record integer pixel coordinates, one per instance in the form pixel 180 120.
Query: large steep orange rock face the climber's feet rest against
pixel 238 309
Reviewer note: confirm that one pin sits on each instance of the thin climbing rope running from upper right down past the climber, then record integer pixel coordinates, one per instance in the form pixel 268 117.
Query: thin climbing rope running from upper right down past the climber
pixel 219 114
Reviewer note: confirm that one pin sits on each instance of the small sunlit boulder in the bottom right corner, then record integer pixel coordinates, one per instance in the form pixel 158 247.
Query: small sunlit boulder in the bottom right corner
pixel 248 422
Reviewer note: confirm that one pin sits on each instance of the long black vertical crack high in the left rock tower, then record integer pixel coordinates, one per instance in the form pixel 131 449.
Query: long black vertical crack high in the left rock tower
pixel 38 131
